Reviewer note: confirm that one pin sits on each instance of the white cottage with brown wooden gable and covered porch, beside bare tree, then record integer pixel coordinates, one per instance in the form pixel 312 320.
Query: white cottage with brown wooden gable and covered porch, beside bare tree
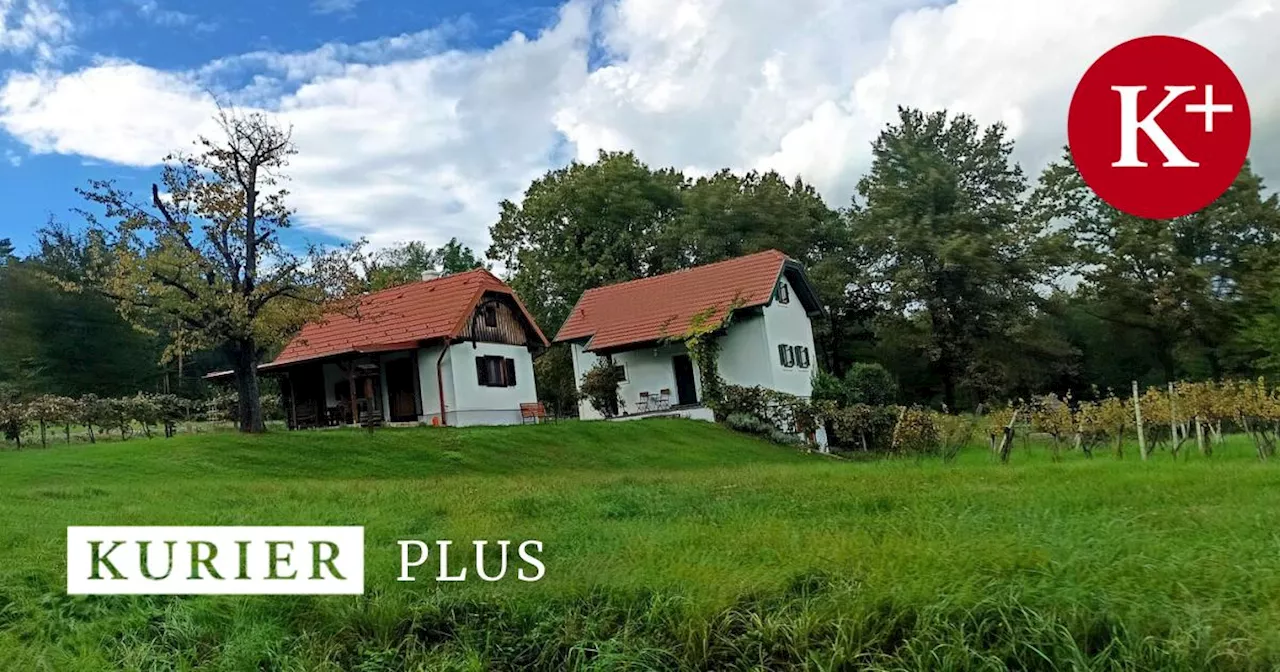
pixel 446 351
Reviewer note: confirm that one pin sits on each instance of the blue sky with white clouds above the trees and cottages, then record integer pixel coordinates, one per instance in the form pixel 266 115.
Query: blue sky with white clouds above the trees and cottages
pixel 415 120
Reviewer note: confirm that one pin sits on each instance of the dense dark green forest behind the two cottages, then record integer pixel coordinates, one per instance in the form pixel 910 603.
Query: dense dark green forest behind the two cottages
pixel 948 267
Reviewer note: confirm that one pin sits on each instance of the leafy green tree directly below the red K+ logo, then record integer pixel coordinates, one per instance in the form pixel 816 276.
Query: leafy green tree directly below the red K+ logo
pixel 1177 284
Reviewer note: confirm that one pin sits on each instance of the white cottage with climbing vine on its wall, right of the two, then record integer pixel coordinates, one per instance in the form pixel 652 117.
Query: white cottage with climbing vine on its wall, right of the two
pixel 767 342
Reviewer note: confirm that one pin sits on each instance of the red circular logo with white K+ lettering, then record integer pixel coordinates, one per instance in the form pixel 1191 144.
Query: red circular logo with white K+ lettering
pixel 1159 127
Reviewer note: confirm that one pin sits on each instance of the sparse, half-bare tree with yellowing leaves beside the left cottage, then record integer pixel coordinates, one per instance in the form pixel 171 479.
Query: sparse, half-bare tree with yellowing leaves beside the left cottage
pixel 207 255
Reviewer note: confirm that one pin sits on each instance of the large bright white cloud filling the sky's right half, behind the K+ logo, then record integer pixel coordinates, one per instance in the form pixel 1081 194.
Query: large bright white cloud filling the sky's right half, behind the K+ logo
pixel 806 86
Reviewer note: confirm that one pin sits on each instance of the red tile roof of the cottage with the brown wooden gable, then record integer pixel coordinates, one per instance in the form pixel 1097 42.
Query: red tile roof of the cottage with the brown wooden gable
pixel 400 318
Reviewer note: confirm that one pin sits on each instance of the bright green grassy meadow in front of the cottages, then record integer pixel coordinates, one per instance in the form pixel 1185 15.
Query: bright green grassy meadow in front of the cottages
pixel 669 546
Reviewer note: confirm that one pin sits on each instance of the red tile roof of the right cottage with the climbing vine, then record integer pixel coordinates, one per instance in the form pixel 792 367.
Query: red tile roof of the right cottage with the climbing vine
pixel 664 307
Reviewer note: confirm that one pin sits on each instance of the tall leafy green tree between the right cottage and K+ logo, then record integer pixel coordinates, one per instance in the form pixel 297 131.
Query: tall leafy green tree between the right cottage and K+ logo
pixel 939 220
